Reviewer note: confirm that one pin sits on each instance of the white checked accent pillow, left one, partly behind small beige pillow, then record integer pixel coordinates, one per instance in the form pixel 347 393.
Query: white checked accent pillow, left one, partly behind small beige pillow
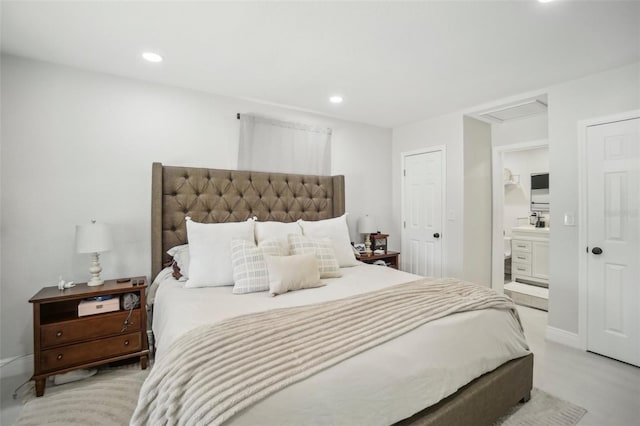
pixel 249 267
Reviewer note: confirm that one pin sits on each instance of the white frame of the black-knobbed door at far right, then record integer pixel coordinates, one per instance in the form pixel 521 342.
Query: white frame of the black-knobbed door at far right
pixel 583 125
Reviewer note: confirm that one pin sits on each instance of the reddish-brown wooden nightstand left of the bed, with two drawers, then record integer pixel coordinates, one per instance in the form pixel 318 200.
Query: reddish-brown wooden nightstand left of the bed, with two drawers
pixel 63 341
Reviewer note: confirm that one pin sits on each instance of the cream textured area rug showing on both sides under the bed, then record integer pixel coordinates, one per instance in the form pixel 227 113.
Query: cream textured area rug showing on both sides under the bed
pixel 109 399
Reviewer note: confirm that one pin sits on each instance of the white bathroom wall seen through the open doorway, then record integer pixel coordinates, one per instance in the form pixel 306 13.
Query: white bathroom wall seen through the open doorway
pixel 517 197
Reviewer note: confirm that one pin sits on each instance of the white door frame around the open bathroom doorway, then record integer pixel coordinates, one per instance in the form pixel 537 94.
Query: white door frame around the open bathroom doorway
pixel 497 189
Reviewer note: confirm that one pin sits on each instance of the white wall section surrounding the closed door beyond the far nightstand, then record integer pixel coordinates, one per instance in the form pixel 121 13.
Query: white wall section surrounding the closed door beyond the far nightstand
pixel 444 130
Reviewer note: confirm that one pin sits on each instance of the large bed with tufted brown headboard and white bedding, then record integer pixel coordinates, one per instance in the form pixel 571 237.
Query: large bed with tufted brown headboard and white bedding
pixel 403 381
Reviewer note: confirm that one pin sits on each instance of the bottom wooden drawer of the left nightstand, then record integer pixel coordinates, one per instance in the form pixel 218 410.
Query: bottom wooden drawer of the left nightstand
pixel 68 356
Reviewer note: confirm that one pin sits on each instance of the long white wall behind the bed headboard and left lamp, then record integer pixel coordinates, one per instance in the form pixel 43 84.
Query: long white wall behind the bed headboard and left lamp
pixel 78 145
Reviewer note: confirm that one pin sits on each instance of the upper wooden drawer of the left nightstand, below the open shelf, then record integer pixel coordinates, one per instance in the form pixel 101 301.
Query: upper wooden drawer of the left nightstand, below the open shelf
pixel 87 328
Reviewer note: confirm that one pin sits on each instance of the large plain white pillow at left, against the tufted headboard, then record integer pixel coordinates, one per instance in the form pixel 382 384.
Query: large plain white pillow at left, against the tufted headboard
pixel 210 250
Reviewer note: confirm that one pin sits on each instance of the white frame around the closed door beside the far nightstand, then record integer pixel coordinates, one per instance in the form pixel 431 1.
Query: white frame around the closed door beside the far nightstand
pixel 443 179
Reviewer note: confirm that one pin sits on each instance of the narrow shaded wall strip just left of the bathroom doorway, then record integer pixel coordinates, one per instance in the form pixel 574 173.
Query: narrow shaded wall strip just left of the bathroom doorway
pixel 477 202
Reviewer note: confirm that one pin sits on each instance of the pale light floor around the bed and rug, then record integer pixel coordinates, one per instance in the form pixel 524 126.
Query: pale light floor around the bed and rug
pixel 608 389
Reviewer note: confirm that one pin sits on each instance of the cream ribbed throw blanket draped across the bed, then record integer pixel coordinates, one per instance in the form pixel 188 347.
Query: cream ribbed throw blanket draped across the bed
pixel 214 371
